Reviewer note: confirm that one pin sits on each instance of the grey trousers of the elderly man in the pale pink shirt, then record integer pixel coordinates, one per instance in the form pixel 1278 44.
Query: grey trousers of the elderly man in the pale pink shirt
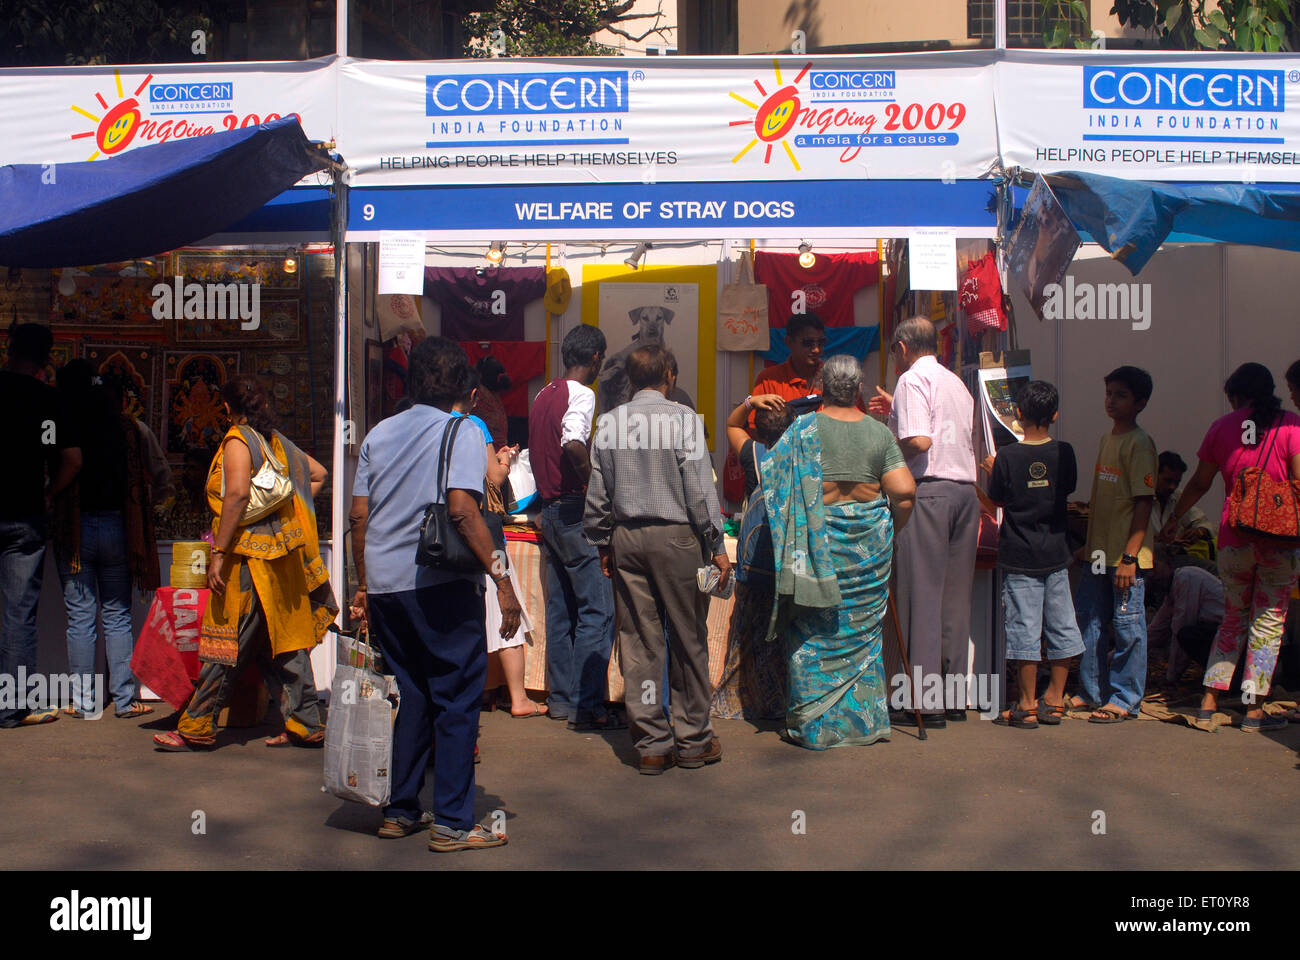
pixel 935 568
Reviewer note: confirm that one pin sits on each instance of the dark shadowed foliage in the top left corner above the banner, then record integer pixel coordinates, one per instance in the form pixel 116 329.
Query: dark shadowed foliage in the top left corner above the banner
pixel 98 32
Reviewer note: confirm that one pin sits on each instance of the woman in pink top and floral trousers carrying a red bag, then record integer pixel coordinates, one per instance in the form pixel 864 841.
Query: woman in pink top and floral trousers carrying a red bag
pixel 1258 576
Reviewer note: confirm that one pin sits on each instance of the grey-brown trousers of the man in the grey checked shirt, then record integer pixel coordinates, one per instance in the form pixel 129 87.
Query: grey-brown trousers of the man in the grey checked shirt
pixel 655 570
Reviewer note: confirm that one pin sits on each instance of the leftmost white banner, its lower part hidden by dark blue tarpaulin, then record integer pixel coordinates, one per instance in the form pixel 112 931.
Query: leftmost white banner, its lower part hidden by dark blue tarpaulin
pixel 57 115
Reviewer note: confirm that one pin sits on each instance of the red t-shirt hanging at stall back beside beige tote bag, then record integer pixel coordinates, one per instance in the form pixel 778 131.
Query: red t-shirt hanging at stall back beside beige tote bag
pixel 829 284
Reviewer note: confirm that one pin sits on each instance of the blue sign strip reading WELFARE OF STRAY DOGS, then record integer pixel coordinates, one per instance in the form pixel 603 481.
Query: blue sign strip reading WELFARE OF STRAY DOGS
pixel 742 209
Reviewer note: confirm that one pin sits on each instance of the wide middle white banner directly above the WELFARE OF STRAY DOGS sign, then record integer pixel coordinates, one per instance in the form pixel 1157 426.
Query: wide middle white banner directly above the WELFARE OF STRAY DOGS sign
pixel 657 120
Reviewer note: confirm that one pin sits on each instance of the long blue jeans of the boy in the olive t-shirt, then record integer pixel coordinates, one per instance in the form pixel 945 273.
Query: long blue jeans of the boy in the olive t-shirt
pixel 1098 607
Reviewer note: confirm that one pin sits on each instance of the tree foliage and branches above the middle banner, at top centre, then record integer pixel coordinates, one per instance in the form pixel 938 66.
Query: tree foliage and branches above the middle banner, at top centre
pixel 554 28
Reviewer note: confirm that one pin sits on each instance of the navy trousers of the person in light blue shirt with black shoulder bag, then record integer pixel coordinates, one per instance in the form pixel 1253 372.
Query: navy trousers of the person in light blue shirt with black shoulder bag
pixel 435 642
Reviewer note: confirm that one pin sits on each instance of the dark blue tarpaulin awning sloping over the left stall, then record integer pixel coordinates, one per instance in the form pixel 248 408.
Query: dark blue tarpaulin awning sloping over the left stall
pixel 148 201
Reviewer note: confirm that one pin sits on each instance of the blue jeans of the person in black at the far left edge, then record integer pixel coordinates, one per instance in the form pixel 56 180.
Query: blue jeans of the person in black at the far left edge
pixel 23 568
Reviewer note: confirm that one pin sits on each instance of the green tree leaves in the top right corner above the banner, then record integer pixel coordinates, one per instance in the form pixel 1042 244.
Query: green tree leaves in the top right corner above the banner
pixel 1232 25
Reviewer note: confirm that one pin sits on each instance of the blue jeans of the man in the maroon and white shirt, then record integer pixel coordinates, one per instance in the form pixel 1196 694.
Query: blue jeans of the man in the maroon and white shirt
pixel 579 615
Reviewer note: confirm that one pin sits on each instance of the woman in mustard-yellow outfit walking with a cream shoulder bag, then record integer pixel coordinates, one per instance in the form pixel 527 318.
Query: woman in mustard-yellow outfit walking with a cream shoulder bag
pixel 271 600
